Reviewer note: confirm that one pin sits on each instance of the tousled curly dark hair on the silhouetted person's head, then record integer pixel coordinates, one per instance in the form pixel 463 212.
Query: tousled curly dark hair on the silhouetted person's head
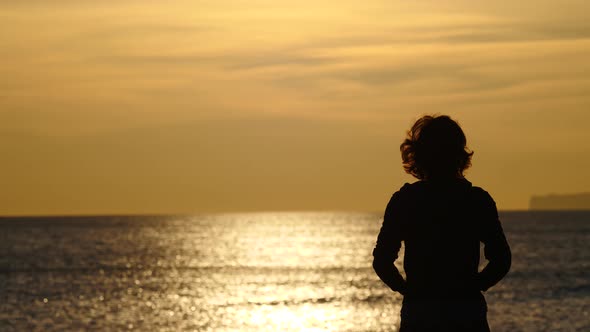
pixel 435 147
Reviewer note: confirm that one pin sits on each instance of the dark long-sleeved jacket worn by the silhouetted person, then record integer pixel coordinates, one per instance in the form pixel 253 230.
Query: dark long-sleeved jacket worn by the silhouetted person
pixel 441 224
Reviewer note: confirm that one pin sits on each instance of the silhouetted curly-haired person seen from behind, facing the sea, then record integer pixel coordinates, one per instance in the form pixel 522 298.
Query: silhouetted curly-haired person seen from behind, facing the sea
pixel 441 219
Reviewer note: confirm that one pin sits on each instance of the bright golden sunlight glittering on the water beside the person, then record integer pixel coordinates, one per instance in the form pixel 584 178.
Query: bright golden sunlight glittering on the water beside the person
pixel 300 272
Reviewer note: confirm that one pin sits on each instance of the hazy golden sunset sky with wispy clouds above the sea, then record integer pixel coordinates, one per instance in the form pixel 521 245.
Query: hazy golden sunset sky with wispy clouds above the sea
pixel 127 107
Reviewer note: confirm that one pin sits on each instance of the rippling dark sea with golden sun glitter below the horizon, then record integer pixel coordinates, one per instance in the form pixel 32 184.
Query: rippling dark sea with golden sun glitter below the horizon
pixel 288 271
